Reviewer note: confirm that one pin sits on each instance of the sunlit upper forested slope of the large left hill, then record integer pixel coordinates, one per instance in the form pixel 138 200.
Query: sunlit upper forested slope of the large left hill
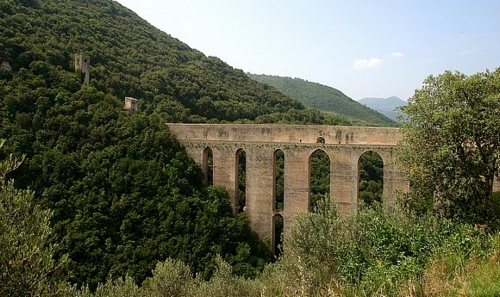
pixel 129 57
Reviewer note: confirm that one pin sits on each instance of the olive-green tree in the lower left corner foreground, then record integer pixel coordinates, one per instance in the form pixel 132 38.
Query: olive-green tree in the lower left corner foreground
pixel 25 250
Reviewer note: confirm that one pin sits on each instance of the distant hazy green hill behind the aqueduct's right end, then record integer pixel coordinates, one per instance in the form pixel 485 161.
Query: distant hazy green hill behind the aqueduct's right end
pixel 315 95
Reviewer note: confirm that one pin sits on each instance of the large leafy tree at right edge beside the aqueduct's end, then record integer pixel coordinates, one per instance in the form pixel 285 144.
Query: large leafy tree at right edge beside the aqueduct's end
pixel 451 143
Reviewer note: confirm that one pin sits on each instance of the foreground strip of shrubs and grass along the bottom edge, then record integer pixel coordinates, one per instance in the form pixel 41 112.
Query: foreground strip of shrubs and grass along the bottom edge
pixel 378 251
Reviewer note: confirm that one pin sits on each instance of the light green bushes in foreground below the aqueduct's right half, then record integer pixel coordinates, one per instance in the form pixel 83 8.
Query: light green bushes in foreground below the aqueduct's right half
pixel 379 251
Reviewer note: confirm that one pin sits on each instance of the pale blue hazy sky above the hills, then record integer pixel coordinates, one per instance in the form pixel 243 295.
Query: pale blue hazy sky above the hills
pixel 363 48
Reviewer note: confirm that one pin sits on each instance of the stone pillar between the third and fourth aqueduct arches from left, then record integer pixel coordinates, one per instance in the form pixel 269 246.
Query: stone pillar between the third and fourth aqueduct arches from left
pixel 296 185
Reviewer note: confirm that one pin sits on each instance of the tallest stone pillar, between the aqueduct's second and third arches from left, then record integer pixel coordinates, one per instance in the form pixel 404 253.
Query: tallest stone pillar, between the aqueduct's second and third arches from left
pixel 260 190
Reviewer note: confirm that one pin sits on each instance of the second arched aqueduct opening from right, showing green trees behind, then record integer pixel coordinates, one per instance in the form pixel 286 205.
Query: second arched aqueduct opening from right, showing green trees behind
pixel 319 178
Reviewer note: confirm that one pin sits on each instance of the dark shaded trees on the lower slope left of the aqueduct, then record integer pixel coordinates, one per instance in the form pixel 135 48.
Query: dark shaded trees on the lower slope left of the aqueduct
pixel 124 193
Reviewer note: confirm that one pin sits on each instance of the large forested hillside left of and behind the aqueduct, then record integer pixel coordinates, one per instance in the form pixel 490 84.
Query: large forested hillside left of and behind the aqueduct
pixel 123 191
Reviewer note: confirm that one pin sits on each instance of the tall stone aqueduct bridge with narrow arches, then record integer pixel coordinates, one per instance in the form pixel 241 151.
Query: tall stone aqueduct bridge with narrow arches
pixel 344 146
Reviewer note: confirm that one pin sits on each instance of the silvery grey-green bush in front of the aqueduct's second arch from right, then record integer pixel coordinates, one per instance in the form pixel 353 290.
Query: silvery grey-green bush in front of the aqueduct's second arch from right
pixel 311 252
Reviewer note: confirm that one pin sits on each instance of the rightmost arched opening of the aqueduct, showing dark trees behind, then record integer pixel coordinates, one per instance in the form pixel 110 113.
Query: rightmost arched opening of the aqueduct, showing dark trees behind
pixel 371 178
